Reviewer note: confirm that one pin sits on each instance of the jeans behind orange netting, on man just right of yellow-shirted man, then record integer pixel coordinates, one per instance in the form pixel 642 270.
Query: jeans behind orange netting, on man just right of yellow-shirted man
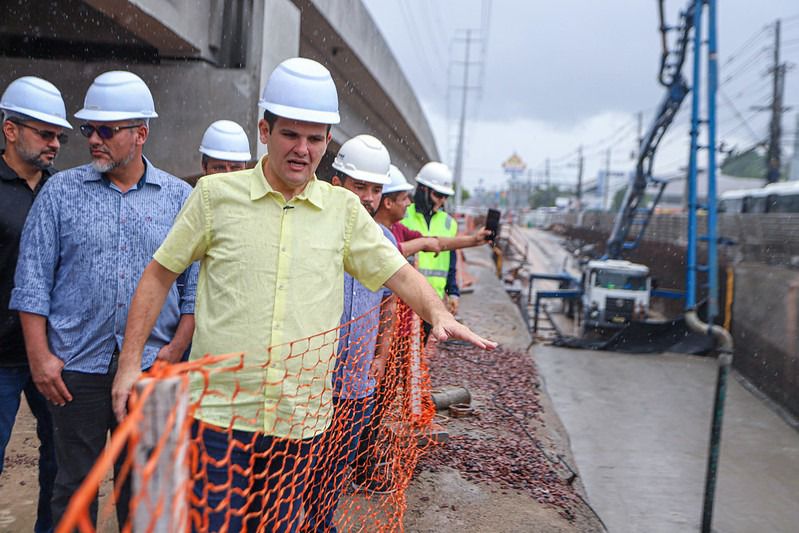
pixel 336 450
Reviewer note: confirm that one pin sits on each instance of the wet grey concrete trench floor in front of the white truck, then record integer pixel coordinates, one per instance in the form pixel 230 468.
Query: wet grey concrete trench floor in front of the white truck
pixel 639 429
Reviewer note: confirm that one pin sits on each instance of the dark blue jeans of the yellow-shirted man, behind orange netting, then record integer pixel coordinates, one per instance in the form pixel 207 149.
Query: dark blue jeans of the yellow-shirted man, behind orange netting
pixel 247 481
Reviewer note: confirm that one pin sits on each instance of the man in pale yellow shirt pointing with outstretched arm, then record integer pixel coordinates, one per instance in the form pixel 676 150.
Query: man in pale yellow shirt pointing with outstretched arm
pixel 273 243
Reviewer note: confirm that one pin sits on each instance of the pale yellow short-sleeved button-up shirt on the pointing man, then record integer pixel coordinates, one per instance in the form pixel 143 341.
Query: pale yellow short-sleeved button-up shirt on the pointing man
pixel 271 286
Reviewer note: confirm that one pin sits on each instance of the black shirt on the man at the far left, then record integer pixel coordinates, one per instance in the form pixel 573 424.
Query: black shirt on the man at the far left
pixel 16 199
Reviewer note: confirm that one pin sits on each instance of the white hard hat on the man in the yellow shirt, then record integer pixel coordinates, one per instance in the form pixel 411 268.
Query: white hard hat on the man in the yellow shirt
pixel 301 89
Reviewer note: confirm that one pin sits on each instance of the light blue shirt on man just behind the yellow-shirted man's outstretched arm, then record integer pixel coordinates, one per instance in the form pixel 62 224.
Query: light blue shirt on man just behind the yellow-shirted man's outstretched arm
pixel 358 340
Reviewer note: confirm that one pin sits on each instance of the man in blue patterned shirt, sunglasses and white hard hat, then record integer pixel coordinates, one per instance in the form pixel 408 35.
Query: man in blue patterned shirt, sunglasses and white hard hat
pixel 89 235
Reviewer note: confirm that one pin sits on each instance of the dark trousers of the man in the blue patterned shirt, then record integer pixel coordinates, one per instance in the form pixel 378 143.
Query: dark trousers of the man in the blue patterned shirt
pixel 81 429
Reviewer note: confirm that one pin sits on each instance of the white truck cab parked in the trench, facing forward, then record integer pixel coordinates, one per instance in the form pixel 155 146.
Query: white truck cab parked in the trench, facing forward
pixel 615 292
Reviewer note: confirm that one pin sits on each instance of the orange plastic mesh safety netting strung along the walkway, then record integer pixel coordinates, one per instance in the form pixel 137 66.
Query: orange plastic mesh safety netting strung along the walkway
pixel 189 474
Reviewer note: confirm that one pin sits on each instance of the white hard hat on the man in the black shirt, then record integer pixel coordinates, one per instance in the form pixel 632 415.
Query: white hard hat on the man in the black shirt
pixel 35 98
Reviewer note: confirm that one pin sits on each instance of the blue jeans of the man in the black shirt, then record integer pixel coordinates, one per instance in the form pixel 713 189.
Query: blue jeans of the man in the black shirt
pixel 13 383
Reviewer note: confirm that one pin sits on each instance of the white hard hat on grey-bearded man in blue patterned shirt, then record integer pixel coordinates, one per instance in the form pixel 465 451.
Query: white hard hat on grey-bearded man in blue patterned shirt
pixel 117 95
